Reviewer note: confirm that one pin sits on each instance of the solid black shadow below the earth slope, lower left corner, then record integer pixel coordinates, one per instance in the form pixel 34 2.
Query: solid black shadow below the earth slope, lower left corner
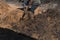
pixel 6 34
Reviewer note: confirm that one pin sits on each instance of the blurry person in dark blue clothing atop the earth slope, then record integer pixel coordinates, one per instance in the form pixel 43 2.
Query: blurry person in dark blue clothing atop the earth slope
pixel 30 5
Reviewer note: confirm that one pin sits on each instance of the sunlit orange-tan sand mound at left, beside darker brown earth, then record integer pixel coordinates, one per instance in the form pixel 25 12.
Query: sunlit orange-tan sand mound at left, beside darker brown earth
pixel 9 15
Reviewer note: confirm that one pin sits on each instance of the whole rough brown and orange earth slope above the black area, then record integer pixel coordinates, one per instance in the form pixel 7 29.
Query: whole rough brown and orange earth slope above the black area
pixel 43 26
